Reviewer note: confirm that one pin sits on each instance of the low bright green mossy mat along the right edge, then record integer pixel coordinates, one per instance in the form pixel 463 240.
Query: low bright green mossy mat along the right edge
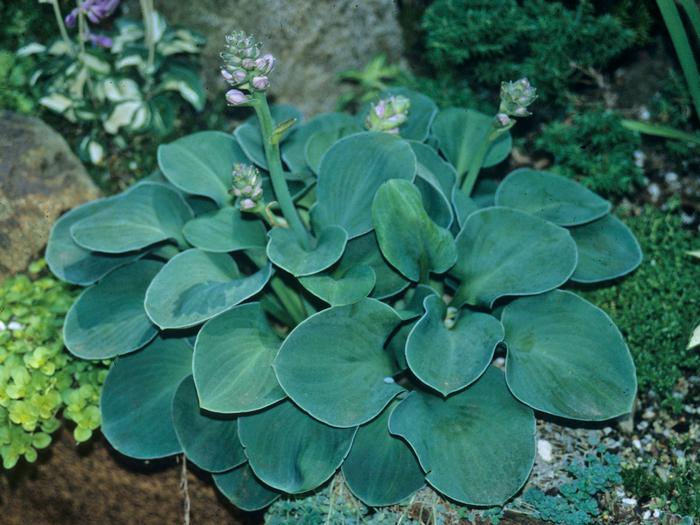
pixel 658 305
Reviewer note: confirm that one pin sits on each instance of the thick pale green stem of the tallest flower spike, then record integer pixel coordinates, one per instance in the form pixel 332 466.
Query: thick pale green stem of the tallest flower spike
pixel 274 164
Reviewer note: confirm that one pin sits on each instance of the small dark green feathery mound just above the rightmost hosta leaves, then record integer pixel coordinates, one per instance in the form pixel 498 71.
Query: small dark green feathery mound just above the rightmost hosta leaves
pixel 594 148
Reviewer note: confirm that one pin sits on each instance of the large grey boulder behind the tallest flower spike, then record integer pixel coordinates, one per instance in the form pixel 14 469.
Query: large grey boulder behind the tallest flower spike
pixel 311 40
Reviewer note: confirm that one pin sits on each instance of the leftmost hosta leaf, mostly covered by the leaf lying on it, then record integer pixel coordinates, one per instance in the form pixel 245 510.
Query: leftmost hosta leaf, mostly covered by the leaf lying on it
pixel 71 263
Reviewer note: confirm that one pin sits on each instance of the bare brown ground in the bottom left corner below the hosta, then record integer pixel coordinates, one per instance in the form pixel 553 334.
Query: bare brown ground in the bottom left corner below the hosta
pixel 95 485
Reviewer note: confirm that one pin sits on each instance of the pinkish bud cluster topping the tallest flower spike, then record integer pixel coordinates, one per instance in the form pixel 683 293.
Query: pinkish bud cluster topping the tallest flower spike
pixel 245 68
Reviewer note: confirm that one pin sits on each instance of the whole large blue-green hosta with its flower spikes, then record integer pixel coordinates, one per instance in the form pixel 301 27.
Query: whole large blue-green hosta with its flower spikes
pixel 299 297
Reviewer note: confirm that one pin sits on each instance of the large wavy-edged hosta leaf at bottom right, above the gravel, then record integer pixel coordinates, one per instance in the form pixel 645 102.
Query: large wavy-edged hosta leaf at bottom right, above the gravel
pixel 481 433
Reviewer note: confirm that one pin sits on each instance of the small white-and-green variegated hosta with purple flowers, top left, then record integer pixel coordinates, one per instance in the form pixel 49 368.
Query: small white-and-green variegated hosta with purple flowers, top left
pixel 129 79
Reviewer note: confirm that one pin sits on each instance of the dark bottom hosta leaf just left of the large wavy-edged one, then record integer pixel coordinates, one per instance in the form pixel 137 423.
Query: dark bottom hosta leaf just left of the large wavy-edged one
pixel 381 469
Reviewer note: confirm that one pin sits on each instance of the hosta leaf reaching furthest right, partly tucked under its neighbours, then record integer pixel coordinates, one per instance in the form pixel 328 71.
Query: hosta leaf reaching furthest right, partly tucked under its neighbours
pixel 607 249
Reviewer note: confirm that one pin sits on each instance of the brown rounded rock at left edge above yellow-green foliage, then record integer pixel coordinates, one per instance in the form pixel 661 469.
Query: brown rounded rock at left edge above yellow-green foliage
pixel 40 178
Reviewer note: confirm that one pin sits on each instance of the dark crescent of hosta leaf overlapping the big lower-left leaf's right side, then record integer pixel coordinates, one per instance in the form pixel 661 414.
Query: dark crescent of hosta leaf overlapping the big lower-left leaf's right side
pixel 209 442
